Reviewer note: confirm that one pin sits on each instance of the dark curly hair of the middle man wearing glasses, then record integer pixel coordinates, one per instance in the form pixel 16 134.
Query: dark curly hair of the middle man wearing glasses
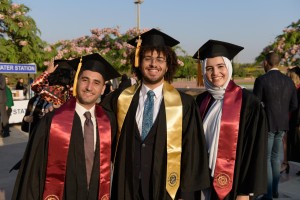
pixel 171 59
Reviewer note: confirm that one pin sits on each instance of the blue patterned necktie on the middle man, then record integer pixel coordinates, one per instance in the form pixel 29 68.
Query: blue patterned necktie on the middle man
pixel 148 114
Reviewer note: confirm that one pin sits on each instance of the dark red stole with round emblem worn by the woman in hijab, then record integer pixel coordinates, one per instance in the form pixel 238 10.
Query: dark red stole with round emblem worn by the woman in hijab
pixel 224 169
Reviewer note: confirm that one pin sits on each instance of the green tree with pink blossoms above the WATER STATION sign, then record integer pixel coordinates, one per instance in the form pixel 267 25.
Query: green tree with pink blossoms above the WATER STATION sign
pixel 19 35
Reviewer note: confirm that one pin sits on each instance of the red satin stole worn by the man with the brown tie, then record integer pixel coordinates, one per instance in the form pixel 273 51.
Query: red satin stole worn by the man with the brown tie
pixel 59 140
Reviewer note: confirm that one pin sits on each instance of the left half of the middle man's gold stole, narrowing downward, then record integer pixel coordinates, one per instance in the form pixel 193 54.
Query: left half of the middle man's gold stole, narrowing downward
pixel 123 104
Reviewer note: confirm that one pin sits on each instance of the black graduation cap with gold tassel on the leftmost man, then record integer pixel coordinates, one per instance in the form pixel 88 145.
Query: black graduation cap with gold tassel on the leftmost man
pixel 93 62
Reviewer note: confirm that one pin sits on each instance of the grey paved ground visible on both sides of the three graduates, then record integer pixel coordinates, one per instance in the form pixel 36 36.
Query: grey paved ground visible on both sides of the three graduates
pixel 12 149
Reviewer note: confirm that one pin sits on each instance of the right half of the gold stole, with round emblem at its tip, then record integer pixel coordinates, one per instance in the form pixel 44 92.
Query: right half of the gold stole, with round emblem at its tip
pixel 174 110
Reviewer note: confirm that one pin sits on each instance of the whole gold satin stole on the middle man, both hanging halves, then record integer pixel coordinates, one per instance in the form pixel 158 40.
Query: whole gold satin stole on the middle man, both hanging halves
pixel 173 106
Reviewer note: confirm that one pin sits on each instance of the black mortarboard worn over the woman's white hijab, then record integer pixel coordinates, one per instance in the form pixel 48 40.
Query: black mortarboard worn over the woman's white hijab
pixel 214 48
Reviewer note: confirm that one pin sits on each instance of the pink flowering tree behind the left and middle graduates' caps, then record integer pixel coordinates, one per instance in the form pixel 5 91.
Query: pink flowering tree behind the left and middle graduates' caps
pixel 108 42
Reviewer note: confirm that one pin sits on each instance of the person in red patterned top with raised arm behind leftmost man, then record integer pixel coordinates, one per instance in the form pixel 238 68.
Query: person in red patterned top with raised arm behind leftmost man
pixel 52 88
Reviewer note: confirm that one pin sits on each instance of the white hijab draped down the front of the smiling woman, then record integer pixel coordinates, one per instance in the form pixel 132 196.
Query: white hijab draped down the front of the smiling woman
pixel 212 120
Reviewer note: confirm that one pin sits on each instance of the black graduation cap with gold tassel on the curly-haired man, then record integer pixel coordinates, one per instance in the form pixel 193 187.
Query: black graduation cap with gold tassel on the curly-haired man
pixel 152 37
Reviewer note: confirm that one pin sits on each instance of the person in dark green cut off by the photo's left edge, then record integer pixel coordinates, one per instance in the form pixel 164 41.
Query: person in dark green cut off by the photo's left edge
pixel 3 113
